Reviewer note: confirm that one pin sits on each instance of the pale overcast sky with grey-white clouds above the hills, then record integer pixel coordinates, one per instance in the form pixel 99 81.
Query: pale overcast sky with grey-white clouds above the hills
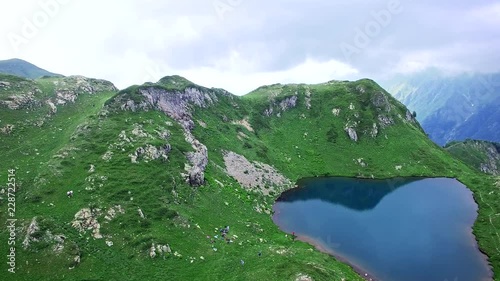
pixel 242 44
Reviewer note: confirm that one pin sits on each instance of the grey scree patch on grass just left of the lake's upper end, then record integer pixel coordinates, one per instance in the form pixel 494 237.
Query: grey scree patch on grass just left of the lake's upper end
pixel 254 175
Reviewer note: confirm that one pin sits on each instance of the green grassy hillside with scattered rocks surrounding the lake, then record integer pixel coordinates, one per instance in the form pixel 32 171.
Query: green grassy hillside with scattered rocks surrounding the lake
pixel 87 146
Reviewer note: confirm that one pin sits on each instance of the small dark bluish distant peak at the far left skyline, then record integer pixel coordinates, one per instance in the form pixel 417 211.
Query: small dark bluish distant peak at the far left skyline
pixel 24 69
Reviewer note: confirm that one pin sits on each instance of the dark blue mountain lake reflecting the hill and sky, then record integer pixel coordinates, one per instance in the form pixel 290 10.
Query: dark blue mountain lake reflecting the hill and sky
pixel 395 230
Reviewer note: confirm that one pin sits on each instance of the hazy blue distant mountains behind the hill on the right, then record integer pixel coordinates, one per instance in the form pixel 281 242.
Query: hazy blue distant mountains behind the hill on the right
pixel 452 107
